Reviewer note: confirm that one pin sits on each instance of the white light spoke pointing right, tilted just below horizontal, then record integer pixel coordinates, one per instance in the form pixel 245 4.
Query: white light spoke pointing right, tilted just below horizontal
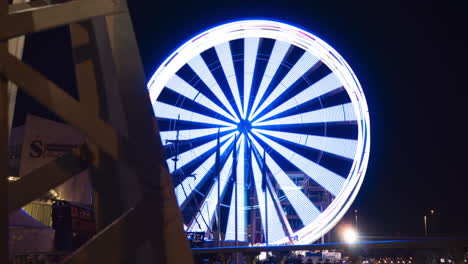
pixel 338 146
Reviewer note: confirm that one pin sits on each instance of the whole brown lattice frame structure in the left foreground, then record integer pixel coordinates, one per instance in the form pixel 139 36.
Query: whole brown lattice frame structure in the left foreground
pixel 137 214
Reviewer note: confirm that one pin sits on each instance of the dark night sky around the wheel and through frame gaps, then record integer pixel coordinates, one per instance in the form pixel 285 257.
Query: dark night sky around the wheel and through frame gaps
pixel 411 61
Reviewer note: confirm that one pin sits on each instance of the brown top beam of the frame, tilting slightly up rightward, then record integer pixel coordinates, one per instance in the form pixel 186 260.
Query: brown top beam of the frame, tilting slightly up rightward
pixel 28 20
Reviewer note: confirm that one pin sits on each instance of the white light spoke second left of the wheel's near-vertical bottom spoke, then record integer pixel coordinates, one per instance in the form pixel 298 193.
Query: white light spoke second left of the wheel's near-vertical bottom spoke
pixel 191 182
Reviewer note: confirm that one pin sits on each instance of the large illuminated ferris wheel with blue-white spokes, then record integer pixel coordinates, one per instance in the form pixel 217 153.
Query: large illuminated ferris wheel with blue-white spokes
pixel 261 120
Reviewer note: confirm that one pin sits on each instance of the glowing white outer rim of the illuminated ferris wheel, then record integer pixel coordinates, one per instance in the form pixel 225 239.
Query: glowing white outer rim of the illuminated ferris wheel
pixel 347 77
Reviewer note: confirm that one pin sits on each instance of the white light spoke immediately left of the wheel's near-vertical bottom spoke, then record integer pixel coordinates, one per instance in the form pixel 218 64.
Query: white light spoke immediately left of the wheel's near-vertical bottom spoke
pixel 208 208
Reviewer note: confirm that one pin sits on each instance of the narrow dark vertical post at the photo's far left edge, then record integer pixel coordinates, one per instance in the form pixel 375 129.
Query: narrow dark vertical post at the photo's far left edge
pixel 3 152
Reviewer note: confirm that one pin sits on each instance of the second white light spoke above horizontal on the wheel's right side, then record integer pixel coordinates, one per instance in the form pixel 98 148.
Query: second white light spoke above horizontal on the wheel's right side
pixel 325 85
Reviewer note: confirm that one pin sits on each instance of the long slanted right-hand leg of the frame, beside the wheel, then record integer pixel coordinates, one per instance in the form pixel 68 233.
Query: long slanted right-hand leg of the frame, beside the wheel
pixel 171 245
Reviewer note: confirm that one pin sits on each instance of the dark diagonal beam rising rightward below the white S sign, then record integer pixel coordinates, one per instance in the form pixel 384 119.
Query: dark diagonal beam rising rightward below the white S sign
pixel 41 180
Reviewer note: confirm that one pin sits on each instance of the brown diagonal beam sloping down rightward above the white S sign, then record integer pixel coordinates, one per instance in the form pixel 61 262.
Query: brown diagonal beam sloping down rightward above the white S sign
pixel 58 101
